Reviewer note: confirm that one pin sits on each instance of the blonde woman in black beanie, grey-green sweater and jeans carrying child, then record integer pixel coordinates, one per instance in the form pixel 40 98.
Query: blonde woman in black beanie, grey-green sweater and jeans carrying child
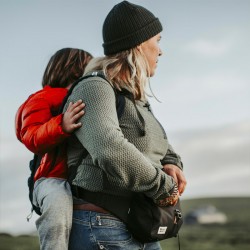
pixel 118 156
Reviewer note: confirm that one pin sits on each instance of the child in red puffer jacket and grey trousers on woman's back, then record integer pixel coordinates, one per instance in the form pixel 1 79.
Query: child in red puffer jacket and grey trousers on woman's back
pixel 44 133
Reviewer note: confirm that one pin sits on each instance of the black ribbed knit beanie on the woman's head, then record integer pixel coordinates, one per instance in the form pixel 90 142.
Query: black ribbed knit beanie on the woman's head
pixel 128 25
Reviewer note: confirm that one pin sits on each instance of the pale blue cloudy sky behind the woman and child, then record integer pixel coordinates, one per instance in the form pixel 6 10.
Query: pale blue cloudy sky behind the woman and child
pixel 202 82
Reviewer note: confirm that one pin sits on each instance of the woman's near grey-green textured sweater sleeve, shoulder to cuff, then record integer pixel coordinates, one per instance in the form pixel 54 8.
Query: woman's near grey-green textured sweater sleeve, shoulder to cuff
pixel 125 166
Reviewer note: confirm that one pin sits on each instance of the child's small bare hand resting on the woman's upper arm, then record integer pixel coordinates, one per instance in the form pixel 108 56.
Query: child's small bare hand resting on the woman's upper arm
pixel 72 115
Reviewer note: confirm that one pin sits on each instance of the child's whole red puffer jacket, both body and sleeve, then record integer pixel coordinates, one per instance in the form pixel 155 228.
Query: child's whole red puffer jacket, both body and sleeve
pixel 40 130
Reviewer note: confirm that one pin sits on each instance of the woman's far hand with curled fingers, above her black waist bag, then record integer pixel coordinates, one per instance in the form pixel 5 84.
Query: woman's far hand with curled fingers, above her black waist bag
pixel 178 176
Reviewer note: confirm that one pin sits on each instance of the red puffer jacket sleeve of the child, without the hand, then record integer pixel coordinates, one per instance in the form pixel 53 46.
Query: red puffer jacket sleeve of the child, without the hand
pixel 36 128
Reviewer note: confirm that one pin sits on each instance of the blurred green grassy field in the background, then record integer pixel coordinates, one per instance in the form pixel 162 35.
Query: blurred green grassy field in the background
pixel 234 235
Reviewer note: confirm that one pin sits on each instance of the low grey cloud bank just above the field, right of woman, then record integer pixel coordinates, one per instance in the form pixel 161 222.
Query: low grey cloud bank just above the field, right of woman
pixel 216 161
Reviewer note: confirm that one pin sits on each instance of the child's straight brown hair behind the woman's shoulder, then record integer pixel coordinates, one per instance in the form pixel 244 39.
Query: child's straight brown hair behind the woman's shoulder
pixel 65 67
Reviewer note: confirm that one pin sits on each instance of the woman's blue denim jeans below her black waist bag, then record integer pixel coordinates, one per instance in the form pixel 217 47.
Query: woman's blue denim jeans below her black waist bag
pixel 93 231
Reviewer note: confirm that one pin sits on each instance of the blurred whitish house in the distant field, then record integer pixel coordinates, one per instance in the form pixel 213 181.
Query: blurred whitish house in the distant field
pixel 205 215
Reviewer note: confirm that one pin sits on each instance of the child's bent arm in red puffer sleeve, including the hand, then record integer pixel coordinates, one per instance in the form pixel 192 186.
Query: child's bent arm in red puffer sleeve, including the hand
pixel 40 131
